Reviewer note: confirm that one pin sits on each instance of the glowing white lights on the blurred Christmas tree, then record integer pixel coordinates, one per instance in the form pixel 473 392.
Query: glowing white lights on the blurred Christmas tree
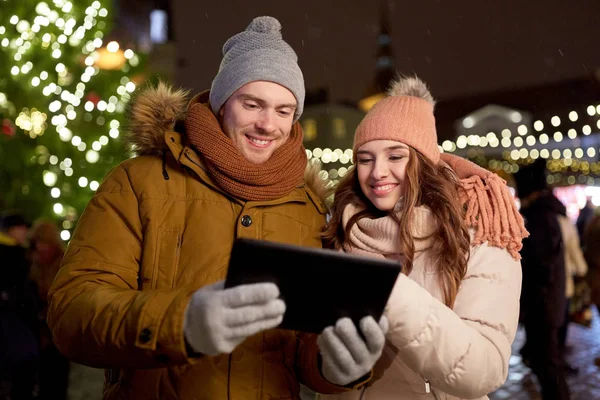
pixel 52 29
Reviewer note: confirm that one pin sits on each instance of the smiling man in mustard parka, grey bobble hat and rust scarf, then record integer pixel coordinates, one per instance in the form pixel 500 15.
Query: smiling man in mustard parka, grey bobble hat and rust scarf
pixel 140 291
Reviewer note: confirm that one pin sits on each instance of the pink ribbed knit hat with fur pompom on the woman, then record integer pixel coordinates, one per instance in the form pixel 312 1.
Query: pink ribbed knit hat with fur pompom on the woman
pixel 406 116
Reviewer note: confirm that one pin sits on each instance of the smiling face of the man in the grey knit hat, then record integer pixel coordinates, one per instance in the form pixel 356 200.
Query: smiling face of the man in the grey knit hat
pixel 258 118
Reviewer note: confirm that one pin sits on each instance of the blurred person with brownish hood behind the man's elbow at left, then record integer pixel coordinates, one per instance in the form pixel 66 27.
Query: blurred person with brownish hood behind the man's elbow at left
pixel 46 250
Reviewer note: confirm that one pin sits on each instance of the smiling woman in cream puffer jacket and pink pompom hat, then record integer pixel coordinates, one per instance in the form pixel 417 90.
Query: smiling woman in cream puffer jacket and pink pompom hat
pixel 453 312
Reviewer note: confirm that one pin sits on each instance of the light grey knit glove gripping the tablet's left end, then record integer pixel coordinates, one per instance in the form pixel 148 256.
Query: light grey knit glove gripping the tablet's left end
pixel 219 319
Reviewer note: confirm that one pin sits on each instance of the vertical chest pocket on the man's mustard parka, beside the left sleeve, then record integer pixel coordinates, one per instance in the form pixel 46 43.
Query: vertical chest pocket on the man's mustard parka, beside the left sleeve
pixel 166 261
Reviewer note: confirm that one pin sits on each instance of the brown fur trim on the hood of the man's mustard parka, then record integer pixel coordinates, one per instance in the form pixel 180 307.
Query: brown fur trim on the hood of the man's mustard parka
pixel 156 109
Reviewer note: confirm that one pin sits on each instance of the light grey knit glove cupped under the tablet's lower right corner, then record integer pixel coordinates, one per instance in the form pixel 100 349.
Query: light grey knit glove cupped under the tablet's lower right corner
pixel 348 357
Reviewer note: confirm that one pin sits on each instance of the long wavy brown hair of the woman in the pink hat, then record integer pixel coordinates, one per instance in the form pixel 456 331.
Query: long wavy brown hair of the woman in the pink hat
pixel 434 186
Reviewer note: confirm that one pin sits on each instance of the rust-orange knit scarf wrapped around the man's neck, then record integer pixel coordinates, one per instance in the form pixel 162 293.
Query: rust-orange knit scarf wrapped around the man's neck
pixel 242 179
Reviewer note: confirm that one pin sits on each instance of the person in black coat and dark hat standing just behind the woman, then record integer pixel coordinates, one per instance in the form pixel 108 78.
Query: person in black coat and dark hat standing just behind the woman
pixel 543 301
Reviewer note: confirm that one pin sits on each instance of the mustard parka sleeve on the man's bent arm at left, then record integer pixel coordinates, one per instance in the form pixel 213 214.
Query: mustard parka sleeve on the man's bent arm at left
pixel 96 314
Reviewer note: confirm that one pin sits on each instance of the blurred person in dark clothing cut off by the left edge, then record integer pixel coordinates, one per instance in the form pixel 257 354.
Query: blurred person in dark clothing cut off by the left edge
pixel 18 346
